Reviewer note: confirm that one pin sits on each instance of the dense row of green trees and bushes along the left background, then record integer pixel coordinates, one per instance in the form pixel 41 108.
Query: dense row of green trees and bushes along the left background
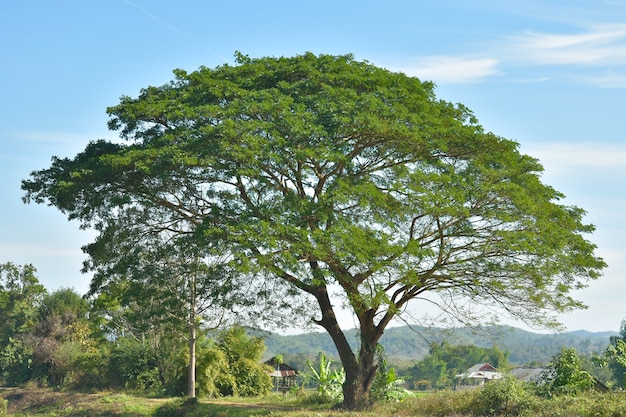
pixel 62 339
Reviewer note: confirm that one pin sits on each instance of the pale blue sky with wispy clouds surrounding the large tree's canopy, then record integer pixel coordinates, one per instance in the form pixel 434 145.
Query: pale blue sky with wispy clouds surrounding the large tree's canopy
pixel 549 74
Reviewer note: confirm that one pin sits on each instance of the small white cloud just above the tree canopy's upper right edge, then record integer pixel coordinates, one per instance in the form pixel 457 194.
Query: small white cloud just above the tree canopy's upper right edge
pixel 451 69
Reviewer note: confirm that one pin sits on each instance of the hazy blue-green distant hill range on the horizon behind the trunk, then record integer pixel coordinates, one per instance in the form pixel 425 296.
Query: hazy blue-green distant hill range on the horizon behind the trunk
pixel 412 343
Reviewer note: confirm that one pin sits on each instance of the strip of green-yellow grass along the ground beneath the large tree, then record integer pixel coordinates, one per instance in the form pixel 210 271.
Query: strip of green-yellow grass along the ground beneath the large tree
pixel 50 403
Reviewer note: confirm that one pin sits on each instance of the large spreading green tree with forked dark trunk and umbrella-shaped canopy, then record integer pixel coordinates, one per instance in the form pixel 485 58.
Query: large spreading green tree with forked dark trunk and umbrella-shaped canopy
pixel 340 182
